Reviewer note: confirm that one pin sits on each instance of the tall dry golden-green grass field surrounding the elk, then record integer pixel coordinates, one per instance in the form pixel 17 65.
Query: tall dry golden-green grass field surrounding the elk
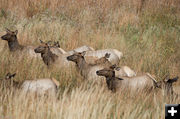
pixel 146 31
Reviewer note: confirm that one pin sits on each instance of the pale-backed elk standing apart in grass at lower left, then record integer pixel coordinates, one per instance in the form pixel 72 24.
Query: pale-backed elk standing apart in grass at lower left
pixel 38 86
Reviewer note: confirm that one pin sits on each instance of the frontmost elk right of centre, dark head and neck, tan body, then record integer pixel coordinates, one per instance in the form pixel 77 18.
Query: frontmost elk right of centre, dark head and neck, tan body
pixel 135 83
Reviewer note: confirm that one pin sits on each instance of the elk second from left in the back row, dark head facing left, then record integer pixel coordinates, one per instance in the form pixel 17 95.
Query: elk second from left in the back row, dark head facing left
pixel 49 58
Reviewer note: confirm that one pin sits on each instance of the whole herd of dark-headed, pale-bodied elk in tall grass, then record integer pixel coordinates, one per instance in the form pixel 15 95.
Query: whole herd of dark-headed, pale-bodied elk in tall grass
pixel 93 65
